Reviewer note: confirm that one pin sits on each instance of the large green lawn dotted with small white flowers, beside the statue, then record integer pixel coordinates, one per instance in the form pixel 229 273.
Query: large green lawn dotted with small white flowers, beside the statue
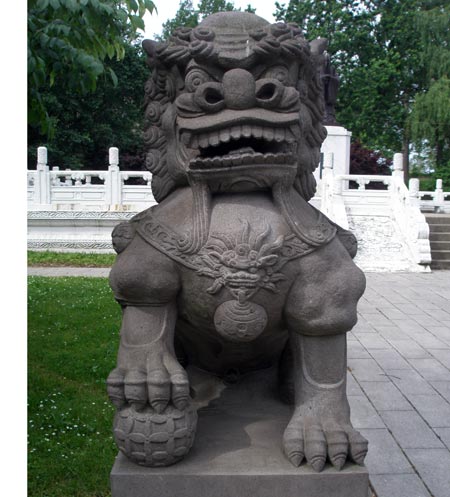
pixel 72 345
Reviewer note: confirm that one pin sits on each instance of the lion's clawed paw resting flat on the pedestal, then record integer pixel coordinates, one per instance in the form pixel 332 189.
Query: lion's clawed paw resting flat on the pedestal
pixel 306 437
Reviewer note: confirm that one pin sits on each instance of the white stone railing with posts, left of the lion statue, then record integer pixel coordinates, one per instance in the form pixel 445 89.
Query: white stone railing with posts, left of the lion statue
pixel 55 189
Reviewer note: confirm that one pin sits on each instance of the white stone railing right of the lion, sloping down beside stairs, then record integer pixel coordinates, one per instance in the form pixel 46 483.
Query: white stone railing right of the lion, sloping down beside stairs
pixel 396 202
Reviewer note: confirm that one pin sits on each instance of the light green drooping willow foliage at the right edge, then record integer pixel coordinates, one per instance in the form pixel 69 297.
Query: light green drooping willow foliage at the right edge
pixel 429 121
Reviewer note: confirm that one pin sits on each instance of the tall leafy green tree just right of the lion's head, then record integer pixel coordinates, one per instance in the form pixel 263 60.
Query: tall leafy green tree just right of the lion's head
pixel 375 49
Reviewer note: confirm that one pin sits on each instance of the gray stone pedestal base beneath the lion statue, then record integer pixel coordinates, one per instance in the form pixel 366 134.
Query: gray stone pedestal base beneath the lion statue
pixel 237 453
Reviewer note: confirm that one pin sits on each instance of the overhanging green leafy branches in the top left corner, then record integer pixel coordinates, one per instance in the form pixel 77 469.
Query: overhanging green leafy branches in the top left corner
pixel 69 41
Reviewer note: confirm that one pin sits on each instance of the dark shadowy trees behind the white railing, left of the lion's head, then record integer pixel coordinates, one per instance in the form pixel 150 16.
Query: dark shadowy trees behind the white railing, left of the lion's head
pixel 85 127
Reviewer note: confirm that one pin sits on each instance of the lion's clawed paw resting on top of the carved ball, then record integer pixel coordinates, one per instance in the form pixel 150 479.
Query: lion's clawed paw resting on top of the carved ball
pixel 160 381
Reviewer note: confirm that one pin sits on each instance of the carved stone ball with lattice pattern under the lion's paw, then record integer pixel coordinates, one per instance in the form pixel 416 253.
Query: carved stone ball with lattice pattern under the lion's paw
pixel 152 439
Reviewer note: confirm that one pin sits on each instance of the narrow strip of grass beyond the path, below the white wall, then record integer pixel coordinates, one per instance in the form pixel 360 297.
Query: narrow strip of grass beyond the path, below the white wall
pixel 70 259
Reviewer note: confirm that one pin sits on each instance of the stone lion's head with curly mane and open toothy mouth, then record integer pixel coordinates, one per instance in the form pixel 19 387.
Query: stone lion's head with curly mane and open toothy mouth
pixel 234 104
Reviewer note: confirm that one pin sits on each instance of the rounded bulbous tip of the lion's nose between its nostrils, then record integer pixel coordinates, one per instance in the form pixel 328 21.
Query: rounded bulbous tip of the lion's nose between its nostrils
pixel 239 89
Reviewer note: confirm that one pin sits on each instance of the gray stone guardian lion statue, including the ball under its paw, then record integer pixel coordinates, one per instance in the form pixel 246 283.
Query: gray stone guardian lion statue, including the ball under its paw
pixel 234 270
